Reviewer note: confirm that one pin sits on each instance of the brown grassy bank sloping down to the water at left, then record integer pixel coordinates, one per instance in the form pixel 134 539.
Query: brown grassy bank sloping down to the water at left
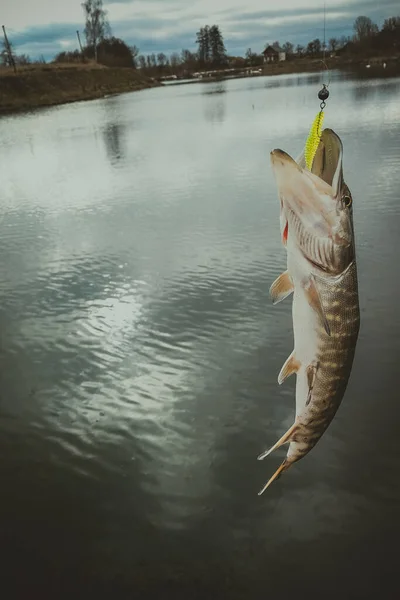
pixel 49 85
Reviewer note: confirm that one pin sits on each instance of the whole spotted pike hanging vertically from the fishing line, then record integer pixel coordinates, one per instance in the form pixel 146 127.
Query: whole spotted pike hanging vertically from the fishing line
pixel 316 222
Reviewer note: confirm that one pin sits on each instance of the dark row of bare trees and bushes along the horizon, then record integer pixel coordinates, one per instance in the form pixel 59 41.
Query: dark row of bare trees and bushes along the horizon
pixel 101 46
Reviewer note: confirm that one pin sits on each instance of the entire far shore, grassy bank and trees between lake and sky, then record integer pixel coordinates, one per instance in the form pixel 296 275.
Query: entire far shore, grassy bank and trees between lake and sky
pixel 99 51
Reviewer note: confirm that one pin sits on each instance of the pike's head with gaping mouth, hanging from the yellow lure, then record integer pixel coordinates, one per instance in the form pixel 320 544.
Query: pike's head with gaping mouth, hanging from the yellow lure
pixel 316 205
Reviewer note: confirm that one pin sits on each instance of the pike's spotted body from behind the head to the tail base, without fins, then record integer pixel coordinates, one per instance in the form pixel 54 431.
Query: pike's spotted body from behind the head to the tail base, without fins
pixel 330 364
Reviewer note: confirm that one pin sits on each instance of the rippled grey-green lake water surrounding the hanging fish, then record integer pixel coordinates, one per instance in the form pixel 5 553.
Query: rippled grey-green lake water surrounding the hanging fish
pixel 140 350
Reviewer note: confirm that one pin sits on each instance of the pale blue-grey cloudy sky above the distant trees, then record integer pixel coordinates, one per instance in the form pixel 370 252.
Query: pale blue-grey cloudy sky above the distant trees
pixel 45 27
